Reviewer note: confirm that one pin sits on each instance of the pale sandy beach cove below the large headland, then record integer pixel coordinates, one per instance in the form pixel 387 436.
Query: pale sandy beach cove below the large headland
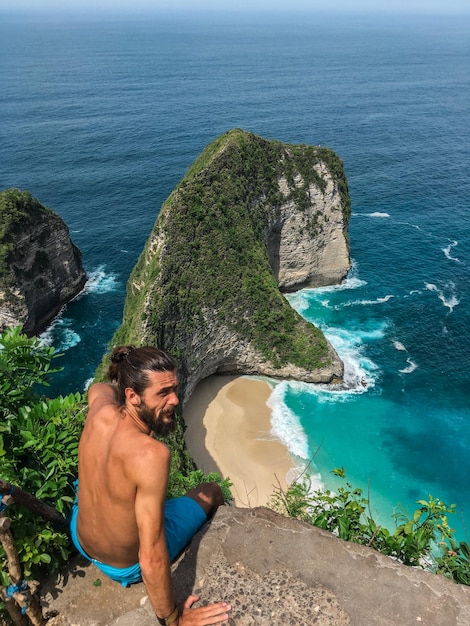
pixel 228 431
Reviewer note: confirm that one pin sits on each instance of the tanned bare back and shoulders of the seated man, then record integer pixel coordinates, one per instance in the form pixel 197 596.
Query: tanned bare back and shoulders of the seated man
pixel 110 443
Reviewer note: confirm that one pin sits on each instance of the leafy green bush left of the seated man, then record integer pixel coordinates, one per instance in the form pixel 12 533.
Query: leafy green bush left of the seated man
pixel 38 449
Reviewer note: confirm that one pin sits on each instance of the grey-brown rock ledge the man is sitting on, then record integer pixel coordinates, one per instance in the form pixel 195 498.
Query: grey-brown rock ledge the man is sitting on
pixel 274 571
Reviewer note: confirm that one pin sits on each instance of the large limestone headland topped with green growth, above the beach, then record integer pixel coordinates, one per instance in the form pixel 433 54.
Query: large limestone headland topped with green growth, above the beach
pixel 251 216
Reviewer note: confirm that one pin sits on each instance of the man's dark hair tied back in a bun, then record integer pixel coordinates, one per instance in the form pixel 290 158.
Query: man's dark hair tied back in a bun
pixel 130 366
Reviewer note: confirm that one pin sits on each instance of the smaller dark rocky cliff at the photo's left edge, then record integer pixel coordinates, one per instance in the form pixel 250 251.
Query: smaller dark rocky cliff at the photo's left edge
pixel 40 268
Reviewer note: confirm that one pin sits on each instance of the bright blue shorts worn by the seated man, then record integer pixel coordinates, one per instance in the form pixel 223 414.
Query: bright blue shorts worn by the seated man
pixel 183 518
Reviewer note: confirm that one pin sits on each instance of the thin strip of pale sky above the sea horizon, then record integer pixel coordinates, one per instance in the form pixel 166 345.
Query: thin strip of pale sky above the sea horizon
pixel 356 6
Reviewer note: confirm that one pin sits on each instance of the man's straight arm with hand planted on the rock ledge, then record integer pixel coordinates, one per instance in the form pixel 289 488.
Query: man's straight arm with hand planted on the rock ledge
pixel 153 468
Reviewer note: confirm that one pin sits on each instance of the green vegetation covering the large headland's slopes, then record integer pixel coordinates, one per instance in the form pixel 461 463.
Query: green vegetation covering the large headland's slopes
pixel 207 255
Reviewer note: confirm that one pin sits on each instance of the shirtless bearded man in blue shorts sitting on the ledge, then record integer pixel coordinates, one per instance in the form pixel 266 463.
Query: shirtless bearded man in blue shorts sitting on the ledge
pixel 121 521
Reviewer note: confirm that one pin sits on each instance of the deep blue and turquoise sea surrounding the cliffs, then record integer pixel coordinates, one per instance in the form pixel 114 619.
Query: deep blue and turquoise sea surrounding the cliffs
pixel 100 118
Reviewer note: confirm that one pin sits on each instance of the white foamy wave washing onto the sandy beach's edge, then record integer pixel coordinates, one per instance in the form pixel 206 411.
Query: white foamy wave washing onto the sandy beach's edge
pixel 285 425
